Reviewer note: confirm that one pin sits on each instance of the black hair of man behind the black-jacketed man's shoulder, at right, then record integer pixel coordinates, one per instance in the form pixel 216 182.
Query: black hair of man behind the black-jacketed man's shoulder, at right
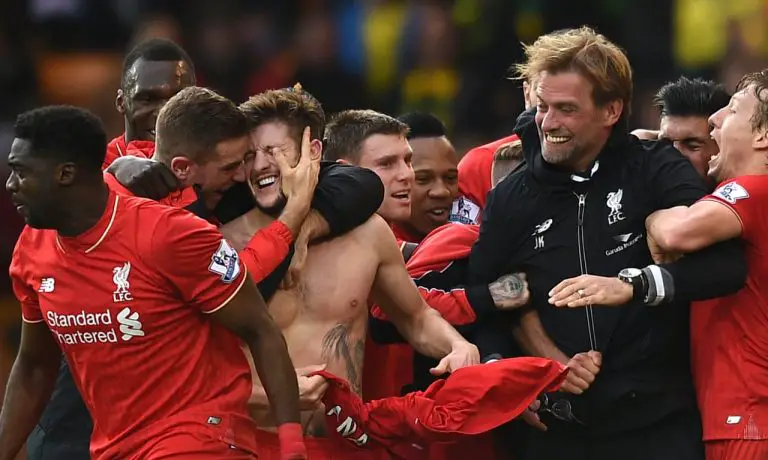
pixel 687 97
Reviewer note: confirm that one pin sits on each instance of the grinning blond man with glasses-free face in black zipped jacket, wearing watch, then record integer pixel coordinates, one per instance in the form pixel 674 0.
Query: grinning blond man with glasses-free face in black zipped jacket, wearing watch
pixel 579 207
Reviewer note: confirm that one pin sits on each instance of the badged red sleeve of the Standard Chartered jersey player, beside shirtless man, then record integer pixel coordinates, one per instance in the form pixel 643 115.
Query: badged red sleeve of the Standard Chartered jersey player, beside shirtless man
pixel 196 259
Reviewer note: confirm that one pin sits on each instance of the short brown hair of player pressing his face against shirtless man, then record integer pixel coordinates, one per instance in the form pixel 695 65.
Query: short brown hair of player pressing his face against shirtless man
pixel 194 121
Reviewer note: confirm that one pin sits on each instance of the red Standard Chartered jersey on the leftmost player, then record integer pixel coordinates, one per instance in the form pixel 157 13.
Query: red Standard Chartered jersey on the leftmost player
pixel 128 301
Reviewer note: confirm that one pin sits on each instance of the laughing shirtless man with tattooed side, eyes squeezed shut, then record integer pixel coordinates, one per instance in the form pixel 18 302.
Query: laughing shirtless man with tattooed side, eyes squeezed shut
pixel 324 316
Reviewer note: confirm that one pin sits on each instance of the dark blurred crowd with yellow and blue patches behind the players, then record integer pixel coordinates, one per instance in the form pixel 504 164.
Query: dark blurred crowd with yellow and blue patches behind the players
pixel 447 57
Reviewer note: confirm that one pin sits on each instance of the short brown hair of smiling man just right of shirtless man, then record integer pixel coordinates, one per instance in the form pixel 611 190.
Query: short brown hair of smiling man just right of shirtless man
pixel 346 131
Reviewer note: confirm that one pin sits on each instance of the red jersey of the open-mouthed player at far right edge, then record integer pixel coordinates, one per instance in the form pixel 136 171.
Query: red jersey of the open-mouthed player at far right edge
pixel 729 344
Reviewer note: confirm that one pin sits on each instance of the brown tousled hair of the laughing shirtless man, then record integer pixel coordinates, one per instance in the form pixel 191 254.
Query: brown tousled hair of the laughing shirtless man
pixel 293 106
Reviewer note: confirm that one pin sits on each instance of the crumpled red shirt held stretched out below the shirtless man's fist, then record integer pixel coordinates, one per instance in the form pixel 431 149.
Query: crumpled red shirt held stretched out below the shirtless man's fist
pixel 471 401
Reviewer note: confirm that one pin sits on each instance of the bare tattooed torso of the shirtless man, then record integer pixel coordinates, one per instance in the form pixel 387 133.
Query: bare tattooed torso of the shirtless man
pixel 324 317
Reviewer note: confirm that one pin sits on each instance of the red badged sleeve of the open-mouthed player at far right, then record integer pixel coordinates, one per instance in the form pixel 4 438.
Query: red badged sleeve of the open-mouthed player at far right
pixel 746 197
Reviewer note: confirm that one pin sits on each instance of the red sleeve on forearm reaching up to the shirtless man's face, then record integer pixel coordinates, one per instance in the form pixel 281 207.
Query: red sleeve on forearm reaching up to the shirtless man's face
pixel 267 250
